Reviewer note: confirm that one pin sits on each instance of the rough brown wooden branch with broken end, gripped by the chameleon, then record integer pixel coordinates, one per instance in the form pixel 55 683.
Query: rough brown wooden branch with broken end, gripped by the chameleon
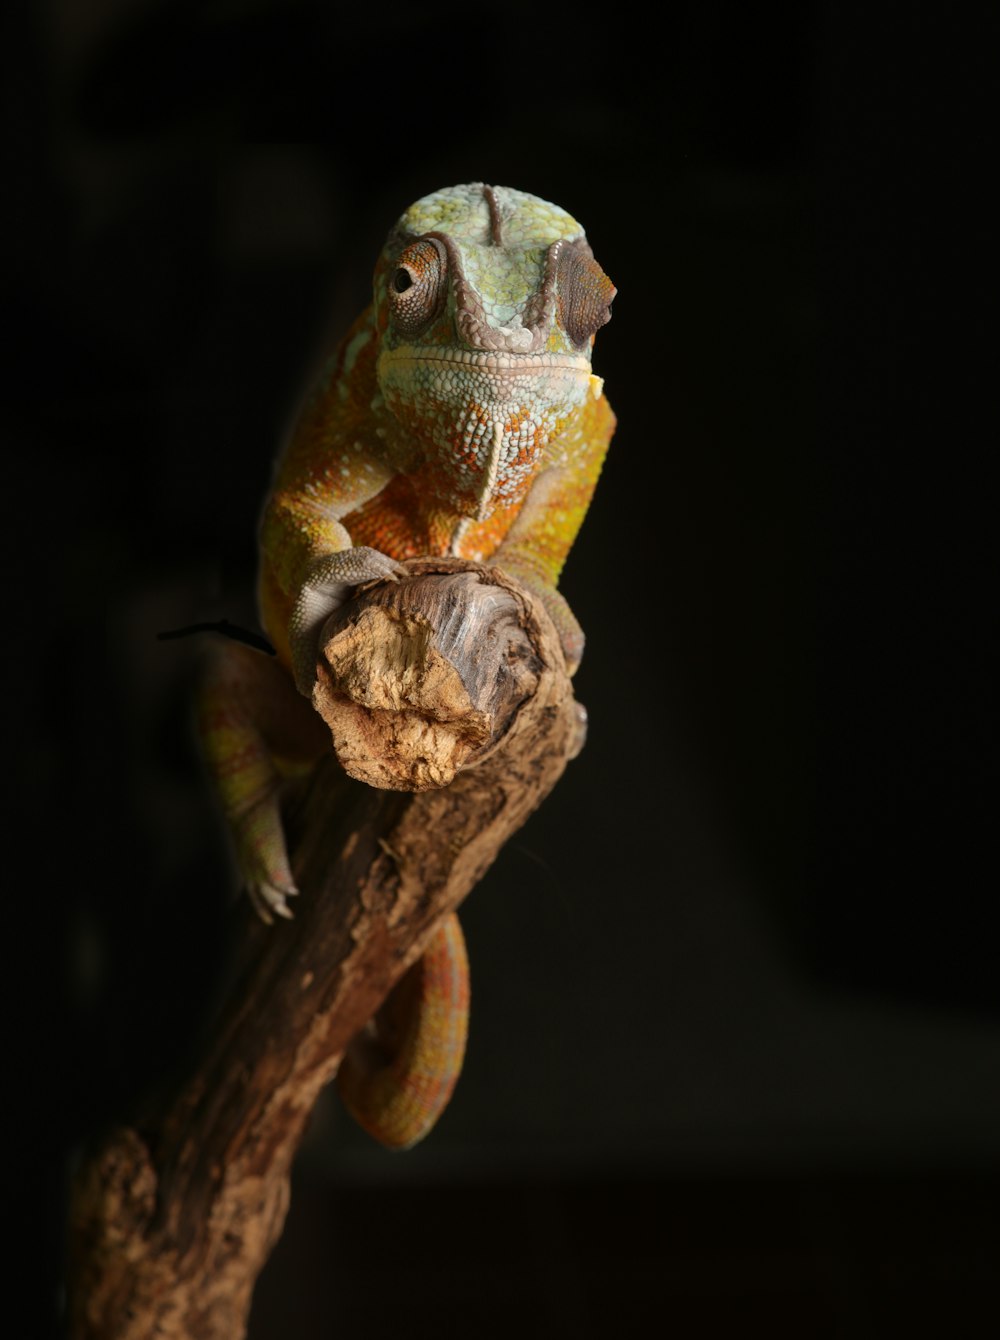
pixel 451 676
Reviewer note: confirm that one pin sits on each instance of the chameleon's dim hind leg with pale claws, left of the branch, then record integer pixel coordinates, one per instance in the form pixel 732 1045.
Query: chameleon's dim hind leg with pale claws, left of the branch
pixel 255 732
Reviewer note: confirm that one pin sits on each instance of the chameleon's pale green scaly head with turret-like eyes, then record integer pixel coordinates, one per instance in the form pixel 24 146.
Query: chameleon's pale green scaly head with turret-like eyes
pixel 487 304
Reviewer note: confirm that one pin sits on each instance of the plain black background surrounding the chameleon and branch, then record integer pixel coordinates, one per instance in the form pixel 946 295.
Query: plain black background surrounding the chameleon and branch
pixel 734 1053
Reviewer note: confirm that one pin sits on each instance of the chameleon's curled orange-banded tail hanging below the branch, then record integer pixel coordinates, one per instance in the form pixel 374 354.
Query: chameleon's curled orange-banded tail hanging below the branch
pixel 401 1070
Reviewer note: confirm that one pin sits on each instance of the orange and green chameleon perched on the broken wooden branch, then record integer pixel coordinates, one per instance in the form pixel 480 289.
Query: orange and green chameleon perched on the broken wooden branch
pixel 459 416
